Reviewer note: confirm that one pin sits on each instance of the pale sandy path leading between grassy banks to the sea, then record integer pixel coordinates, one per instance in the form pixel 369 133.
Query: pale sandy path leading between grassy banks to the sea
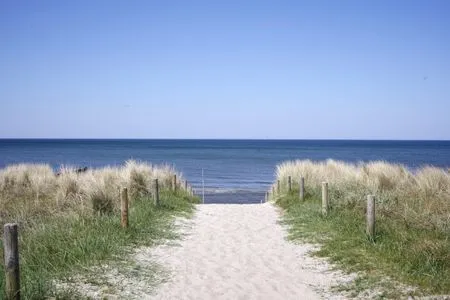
pixel 240 252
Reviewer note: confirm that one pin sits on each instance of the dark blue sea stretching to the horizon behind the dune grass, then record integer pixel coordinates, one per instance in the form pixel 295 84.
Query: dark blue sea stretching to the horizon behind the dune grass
pixel 221 171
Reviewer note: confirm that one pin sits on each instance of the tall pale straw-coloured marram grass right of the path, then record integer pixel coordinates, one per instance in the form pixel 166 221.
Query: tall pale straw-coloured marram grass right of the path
pixel 420 198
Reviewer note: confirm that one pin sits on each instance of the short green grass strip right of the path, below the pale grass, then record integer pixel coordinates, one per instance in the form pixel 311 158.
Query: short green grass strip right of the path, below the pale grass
pixel 412 256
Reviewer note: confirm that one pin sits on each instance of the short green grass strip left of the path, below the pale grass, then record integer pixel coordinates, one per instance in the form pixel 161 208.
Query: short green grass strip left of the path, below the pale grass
pixel 58 248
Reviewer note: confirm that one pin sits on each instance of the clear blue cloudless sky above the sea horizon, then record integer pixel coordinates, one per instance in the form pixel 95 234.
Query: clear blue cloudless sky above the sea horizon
pixel 225 69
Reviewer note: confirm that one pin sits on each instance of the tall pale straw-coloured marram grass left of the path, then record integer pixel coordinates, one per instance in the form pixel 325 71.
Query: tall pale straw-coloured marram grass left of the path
pixel 28 190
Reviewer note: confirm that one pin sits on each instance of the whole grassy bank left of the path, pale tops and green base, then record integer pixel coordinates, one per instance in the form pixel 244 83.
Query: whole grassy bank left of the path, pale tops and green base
pixel 61 234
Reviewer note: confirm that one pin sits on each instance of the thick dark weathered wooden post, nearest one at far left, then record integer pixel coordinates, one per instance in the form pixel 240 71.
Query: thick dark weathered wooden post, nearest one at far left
pixel 11 254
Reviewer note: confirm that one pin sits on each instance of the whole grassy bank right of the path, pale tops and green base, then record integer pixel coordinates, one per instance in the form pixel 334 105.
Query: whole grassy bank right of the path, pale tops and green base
pixel 412 241
